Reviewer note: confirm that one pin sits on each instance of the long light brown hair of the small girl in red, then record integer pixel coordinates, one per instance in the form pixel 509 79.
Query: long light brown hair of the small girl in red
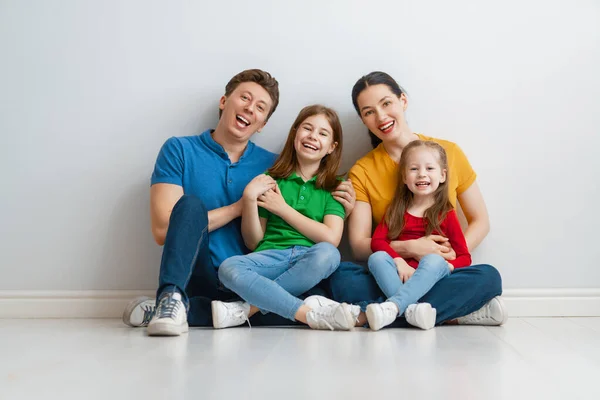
pixel 403 198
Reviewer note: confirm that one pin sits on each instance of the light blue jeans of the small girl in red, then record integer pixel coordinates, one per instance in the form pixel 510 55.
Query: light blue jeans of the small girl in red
pixel 432 268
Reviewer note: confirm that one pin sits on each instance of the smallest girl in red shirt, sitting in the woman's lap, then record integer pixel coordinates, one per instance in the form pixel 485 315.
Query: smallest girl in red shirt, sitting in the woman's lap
pixel 420 208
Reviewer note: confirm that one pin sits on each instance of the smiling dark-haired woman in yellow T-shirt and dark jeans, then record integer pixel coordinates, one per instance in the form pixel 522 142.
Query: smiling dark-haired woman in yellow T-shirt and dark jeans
pixel 468 296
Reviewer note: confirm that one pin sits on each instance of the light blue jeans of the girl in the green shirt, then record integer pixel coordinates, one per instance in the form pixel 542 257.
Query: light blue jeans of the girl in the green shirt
pixel 271 279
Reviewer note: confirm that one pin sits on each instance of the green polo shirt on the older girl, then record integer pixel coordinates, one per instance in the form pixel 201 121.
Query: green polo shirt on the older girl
pixel 305 198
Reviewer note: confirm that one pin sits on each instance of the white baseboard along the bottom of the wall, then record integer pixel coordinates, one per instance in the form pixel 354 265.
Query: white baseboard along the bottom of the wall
pixel 110 303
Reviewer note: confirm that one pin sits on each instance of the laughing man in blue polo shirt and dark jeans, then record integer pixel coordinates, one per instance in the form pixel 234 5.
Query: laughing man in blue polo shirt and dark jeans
pixel 195 202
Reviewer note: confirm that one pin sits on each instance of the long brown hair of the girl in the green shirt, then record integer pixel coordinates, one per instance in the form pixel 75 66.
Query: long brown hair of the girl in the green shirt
pixel 287 162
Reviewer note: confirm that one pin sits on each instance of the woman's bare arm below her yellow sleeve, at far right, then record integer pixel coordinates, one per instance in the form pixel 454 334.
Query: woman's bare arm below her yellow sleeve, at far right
pixel 473 206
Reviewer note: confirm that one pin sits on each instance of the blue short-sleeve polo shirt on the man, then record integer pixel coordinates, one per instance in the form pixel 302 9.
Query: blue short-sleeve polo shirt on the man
pixel 203 169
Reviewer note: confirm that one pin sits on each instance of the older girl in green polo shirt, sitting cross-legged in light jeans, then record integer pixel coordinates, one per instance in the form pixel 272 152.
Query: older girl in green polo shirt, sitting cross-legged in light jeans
pixel 286 212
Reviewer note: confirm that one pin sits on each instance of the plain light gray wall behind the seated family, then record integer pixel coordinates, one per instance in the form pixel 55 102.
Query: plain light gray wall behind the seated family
pixel 90 90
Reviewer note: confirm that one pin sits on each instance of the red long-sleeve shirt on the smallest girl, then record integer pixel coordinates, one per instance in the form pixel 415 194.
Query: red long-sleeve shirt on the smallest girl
pixel 414 228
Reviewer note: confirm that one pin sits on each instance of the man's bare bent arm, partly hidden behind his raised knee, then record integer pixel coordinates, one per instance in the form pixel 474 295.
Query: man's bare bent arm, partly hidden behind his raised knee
pixel 164 196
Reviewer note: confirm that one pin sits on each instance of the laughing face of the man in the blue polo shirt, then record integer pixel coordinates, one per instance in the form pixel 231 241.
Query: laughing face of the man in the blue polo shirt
pixel 245 110
